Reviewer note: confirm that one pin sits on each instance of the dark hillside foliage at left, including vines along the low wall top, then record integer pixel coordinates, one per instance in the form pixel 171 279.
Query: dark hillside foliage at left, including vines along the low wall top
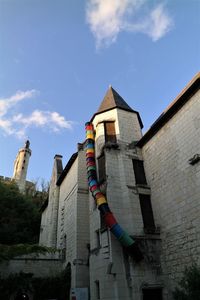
pixel 20 220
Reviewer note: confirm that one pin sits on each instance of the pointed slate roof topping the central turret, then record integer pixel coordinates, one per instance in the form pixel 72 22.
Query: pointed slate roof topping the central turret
pixel 113 100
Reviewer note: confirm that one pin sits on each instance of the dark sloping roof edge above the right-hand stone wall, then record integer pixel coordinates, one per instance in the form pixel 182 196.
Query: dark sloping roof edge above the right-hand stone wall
pixel 185 95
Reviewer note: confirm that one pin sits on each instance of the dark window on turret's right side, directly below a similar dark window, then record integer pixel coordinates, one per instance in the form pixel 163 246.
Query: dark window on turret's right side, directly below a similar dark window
pixel 147 213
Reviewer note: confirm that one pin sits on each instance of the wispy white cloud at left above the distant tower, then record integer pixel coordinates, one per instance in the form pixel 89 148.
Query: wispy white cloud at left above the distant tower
pixel 18 124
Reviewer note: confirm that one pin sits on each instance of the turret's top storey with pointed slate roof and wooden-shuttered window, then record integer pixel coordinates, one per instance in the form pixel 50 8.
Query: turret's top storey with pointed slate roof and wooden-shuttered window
pixel 116 122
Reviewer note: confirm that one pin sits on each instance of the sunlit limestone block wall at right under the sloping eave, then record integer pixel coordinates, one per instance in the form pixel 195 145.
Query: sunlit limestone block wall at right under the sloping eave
pixel 175 188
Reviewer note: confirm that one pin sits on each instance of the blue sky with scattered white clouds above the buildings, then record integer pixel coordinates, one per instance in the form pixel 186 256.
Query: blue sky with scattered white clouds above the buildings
pixel 58 58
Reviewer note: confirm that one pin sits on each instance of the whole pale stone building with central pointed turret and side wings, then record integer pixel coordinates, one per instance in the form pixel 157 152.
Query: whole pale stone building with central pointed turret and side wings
pixel 152 186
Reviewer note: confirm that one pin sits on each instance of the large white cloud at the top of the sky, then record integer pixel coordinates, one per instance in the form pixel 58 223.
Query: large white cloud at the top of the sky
pixel 108 18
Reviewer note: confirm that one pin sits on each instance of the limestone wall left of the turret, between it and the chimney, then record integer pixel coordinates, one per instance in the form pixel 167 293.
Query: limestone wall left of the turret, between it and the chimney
pixel 73 223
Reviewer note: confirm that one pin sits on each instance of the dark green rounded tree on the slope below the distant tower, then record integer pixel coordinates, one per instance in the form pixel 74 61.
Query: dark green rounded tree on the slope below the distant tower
pixel 19 216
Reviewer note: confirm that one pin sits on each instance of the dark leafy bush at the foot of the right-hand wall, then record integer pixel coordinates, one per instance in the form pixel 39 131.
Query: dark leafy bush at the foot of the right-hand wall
pixel 189 286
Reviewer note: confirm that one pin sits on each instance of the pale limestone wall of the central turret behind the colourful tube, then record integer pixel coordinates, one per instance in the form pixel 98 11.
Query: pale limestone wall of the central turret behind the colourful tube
pixel 117 276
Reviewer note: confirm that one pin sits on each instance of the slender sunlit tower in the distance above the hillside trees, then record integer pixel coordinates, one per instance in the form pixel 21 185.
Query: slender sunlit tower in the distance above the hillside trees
pixel 21 166
